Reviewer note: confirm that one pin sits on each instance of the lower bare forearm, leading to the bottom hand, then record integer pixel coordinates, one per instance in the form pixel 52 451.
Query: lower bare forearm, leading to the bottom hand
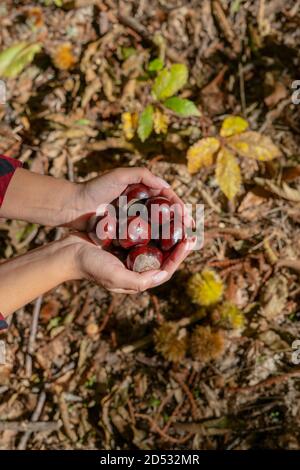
pixel 28 276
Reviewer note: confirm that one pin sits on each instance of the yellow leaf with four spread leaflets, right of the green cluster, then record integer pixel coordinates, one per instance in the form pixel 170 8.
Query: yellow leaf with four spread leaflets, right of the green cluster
pixel 234 139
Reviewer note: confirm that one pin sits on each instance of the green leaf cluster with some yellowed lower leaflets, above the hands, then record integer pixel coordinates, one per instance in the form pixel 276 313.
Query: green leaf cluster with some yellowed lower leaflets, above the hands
pixel 167 83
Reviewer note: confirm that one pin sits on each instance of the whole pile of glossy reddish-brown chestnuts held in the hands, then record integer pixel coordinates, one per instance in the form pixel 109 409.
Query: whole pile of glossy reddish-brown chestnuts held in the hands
pixel 144 240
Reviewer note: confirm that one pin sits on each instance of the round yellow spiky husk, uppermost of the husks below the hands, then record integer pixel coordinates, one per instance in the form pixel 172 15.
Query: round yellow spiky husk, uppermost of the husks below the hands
pixel 205 288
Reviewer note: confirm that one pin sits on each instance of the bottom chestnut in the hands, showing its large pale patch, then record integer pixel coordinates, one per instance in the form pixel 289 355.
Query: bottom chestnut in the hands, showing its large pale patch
pixel 144 258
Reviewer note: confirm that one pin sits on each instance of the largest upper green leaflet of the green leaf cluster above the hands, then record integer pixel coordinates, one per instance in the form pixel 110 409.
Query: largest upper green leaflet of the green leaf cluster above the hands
pixel 169 82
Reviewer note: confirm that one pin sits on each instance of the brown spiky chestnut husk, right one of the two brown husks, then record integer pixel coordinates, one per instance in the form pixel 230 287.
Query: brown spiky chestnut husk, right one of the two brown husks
pixel 206 344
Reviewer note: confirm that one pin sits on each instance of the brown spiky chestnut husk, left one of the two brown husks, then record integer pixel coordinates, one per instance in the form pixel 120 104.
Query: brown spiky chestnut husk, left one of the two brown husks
pixel 171 341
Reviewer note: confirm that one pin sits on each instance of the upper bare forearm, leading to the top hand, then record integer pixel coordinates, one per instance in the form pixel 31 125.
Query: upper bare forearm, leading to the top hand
pixel 42 199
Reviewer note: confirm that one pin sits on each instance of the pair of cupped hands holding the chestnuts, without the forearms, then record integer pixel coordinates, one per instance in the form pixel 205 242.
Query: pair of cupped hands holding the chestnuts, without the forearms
pixel 103 267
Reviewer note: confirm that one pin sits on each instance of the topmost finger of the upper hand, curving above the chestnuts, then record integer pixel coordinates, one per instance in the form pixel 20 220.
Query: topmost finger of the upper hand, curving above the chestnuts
pixel 140 175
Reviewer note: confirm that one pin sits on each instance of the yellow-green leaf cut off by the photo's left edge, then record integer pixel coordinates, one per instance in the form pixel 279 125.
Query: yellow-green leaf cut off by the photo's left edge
pixel 14 59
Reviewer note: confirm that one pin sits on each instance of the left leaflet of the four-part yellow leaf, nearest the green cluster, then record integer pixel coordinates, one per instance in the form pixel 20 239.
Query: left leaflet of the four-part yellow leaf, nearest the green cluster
pixel 201 153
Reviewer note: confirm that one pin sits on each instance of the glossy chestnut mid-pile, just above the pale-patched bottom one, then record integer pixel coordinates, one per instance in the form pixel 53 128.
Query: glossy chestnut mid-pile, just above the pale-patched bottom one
pixel 136 232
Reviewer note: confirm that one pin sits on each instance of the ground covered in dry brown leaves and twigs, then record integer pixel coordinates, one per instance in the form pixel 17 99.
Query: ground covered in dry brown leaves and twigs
pixel 90 376
